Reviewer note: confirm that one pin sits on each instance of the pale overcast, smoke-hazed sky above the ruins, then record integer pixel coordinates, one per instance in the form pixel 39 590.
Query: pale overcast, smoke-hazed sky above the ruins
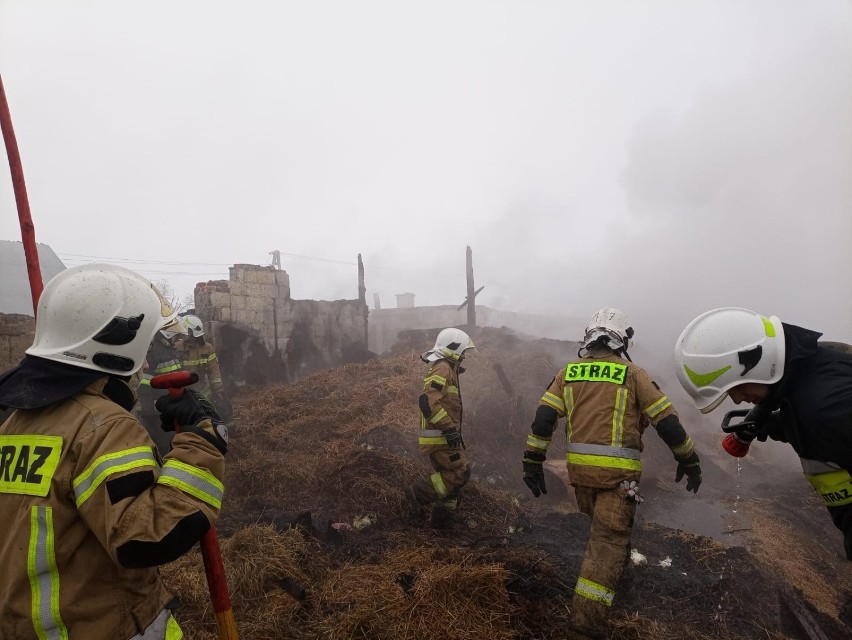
pixel 664 157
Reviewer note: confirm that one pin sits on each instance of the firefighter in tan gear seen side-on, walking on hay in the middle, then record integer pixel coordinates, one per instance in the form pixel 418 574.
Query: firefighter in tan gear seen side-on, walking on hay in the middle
pixel 441 431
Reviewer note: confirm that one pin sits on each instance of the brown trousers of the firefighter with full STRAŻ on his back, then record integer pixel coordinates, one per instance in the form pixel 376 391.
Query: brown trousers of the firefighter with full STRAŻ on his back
pixel 606 550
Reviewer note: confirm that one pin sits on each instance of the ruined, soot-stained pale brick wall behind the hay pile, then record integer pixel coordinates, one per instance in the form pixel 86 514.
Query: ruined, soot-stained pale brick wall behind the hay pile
pixel 263 336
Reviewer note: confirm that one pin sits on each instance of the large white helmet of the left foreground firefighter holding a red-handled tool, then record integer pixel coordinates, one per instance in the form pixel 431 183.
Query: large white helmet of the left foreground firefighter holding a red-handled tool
pixel 101 317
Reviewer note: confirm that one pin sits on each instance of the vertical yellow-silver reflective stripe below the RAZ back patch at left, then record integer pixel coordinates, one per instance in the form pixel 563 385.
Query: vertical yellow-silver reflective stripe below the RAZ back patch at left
pixel 44 576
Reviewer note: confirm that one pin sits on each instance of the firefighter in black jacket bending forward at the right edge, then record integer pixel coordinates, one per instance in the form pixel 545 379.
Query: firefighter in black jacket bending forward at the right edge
pixel 801 389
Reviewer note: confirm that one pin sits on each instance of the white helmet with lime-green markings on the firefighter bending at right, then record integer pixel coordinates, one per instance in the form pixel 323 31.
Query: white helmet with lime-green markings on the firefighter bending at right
pixel 726 347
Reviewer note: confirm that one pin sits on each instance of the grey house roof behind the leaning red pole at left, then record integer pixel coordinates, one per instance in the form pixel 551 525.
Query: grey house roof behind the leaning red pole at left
pixel 15 296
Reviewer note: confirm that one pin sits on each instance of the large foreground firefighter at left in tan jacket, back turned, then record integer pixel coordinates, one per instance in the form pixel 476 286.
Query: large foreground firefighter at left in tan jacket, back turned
pixel 89 509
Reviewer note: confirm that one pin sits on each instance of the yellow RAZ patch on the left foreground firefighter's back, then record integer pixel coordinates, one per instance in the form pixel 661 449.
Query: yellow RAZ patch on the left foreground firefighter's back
pixel 27 463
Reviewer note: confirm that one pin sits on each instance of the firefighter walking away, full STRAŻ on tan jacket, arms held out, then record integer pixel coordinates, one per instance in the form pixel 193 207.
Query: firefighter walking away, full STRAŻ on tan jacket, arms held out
pixel 607 401
